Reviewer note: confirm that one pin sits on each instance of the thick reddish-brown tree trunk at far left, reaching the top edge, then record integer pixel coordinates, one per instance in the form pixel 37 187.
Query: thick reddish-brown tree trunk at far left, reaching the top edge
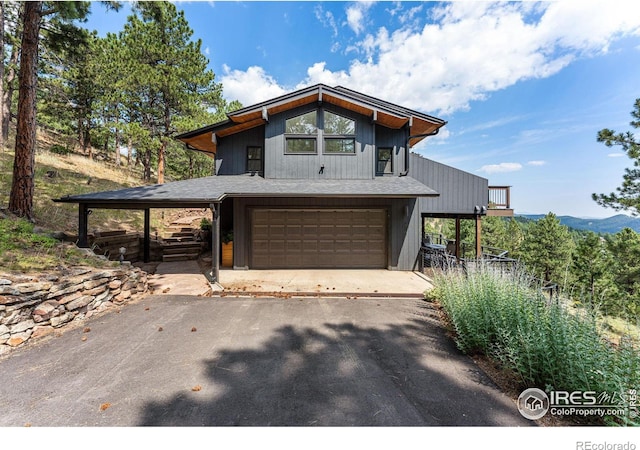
pixel 21 197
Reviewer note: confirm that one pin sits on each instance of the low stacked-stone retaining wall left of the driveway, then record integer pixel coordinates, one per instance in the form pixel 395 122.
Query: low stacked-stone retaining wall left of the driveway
pixel 32 307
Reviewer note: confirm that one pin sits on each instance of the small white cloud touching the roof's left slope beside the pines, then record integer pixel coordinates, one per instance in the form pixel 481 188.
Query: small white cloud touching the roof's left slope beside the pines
pixel 251 86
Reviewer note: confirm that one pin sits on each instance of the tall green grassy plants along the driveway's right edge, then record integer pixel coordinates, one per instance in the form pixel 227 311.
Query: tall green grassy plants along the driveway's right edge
pixel 546 343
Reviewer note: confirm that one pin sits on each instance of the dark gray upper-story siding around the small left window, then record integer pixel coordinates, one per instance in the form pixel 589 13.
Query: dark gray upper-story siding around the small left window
pixel 231 157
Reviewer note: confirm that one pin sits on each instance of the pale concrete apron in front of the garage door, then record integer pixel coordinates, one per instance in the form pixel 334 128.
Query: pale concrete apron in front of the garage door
pixel 326 283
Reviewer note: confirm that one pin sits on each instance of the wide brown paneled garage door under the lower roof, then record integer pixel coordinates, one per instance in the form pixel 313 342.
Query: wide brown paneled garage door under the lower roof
pixel 322 238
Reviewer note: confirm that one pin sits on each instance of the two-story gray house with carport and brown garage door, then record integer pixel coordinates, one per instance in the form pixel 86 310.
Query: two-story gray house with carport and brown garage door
pixel 322 177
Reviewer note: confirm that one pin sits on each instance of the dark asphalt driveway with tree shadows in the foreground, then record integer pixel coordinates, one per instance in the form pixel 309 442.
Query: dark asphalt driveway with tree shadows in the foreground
pixel 197 361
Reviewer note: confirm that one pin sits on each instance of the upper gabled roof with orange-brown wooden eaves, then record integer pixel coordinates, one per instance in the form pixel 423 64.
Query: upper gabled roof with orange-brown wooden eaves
pixel 380 111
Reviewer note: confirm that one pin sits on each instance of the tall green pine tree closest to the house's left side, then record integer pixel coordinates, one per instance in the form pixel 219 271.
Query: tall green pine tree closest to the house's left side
pixel 169 72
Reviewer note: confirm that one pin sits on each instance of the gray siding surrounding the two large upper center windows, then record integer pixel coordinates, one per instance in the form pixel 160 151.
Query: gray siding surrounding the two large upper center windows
pixel 336 166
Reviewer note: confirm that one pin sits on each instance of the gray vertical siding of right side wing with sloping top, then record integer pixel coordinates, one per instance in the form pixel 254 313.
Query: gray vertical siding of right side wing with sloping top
pixel 459 191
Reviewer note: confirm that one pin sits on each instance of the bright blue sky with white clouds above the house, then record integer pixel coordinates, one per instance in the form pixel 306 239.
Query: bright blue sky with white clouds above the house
pixel 524 86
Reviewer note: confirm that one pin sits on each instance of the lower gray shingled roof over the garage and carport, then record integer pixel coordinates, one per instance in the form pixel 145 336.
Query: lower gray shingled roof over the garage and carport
pixel 200 192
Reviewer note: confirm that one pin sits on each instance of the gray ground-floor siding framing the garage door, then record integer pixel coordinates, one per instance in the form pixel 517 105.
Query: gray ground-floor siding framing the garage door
pixel 403 225
